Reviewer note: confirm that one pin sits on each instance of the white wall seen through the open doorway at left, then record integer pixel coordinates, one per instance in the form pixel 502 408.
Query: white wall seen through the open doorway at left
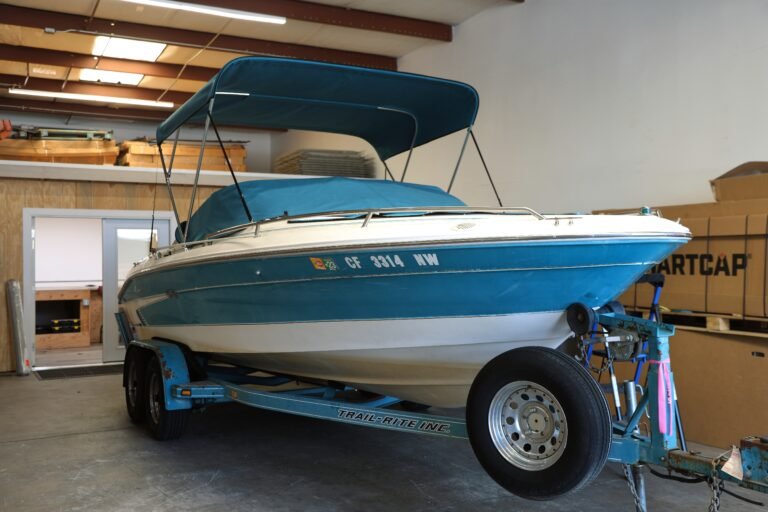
pixel 67 252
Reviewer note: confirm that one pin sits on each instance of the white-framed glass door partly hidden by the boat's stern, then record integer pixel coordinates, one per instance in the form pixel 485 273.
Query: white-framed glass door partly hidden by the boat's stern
pixel 124 243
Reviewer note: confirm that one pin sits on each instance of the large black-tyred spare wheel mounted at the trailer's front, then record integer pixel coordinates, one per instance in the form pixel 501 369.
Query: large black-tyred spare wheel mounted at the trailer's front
pixel 538 423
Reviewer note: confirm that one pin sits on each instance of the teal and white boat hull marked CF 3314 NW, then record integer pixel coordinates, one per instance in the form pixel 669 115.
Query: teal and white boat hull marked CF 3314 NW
pixel 417 322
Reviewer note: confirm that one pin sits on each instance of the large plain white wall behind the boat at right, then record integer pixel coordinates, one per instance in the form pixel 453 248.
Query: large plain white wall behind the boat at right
pixel 605 103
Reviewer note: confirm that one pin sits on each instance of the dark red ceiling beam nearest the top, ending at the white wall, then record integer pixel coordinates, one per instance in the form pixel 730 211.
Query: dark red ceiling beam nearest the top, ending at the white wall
pixel 339 16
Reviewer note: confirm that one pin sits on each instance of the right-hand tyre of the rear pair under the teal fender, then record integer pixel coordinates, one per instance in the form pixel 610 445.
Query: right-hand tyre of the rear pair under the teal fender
pixel 163 424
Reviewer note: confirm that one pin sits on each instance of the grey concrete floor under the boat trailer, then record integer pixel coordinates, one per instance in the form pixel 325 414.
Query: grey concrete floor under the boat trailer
pixel 68 445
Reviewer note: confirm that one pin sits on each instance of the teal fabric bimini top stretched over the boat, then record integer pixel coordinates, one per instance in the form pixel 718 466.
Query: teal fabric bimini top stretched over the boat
pixel 385 108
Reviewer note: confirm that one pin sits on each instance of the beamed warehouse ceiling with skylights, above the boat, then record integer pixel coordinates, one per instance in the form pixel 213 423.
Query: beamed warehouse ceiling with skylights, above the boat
pixel 48 45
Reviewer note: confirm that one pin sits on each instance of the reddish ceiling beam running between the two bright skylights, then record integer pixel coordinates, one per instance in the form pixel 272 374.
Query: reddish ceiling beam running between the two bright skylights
pixel 80 60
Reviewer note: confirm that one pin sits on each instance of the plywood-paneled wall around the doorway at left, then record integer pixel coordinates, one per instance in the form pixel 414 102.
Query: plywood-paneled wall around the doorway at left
pixel 16 194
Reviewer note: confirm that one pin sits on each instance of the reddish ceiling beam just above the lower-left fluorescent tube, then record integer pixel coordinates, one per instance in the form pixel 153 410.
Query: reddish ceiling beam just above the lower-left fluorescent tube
pixel 44 84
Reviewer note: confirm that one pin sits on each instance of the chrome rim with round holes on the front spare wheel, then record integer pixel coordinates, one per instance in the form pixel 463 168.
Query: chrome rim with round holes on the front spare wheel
pixel 527 425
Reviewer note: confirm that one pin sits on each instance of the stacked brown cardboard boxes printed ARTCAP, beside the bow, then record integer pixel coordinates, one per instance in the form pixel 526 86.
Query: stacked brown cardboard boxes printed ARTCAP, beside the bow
pixel 722 271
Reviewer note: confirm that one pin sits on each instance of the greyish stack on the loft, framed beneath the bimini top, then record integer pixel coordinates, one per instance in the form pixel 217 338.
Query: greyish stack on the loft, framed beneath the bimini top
pixel 321 162
